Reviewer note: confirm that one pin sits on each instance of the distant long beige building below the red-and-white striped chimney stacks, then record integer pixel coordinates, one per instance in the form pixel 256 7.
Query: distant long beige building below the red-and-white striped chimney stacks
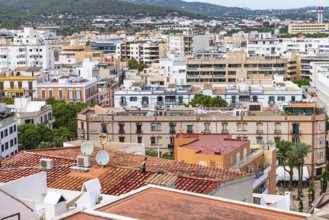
pixel 307 28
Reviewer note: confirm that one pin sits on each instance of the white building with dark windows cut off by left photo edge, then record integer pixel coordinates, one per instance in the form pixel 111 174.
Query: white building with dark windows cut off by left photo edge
pixel 8 133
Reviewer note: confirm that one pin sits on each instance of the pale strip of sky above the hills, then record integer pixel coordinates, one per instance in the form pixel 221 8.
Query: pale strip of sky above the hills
pixel 267 4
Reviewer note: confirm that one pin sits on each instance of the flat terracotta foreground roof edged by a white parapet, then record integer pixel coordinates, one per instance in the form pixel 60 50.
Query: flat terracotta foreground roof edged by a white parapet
pixel 153 203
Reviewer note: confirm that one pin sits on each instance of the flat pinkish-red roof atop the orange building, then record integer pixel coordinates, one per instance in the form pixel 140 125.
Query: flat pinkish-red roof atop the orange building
pixel 212 143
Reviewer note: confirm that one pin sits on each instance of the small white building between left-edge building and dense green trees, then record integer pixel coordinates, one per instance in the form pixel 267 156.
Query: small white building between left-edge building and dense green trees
pixel 37 112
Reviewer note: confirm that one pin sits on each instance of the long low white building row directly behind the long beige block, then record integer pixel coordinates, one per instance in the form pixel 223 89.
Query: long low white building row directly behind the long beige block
pixel 261 93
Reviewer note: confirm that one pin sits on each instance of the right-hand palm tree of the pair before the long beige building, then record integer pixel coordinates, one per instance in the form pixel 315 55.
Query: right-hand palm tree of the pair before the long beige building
pixel 301 150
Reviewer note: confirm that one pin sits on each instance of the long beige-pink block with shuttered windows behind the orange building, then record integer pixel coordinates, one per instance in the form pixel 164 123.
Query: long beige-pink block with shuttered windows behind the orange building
pixel 299 122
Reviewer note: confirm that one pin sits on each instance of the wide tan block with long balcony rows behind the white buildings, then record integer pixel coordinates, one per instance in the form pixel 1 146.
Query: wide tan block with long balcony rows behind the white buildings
pixel 236 66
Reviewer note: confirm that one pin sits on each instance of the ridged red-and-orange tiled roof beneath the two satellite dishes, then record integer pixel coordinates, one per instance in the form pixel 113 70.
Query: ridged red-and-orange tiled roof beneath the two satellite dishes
pixel 122 175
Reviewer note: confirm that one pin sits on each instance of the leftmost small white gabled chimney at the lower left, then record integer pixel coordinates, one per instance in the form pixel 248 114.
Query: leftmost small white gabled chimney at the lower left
pixel 55 205
